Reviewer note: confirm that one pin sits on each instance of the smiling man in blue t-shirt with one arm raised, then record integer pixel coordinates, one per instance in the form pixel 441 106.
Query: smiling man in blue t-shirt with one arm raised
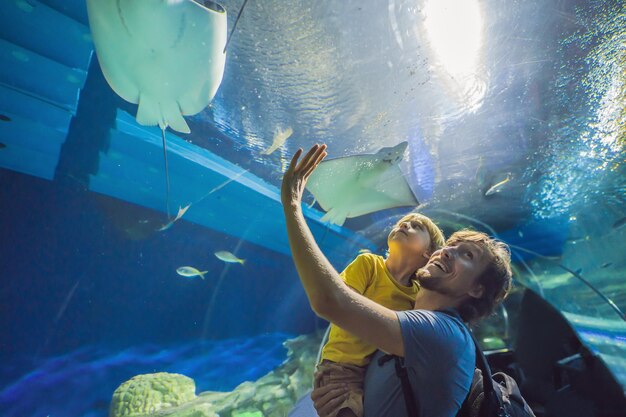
pixel 466 279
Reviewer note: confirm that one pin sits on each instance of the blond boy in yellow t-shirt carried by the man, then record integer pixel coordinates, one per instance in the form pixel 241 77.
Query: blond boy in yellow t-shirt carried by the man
pixel 388 282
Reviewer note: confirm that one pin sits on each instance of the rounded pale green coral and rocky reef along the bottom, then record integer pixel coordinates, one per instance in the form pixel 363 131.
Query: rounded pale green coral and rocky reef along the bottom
pixel 172 395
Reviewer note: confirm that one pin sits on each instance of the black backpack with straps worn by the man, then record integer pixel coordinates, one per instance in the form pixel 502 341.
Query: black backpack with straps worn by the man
pixel 498 396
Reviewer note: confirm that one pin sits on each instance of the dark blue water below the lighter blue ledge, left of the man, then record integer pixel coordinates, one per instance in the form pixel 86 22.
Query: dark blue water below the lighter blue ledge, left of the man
pixel 87 308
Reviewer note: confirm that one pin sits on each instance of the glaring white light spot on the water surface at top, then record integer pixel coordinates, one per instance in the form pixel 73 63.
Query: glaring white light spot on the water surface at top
pixel 454 28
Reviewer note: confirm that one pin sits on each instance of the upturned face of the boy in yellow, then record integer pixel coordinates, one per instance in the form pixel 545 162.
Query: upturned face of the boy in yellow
pixel 409 238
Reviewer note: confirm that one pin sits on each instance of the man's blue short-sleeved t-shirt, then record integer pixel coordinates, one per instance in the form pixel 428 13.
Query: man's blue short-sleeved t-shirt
pixel 440 357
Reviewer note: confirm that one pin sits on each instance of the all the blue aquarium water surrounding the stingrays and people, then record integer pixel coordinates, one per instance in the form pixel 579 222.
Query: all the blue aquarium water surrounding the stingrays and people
pixel 89 292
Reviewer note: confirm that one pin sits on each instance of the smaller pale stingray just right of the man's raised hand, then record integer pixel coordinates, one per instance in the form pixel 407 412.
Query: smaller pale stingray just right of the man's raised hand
pixel 360 184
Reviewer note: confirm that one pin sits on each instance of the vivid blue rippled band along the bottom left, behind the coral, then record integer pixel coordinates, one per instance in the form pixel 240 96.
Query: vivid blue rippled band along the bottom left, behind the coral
pixel 81 383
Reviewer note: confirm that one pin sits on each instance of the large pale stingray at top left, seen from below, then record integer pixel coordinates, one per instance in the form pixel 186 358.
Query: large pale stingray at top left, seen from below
pixel 165 55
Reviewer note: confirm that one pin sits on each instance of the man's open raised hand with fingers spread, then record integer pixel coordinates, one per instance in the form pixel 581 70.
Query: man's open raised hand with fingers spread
pixel 297 174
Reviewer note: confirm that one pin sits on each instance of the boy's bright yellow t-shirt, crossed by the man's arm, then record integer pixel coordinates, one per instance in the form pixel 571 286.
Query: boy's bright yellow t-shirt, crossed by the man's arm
pixel 369 276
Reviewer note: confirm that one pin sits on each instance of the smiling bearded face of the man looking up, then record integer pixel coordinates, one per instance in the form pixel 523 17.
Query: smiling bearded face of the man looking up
pixel 454 270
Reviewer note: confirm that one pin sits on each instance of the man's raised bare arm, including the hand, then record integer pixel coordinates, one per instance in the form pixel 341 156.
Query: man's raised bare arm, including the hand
pixel 329 296
